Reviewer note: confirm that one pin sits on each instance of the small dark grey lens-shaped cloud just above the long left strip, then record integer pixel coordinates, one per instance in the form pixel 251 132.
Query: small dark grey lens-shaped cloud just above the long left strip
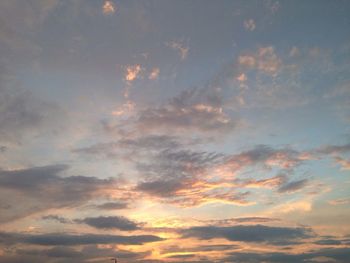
pixel 110 222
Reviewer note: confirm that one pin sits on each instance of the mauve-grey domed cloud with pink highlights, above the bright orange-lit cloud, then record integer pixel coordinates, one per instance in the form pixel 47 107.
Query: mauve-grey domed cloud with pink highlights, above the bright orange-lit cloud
pixel 197 110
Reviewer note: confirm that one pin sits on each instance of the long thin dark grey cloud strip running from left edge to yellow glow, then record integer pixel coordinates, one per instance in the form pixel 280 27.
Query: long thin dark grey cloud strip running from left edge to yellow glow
pixel 62 239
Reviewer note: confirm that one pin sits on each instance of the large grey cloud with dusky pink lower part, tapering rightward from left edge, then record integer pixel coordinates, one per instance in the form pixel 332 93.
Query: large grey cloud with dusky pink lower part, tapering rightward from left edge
pixel 38 188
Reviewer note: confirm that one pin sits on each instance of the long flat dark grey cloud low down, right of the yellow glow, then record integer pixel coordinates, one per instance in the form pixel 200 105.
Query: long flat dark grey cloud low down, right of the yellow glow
pixel 249 233
